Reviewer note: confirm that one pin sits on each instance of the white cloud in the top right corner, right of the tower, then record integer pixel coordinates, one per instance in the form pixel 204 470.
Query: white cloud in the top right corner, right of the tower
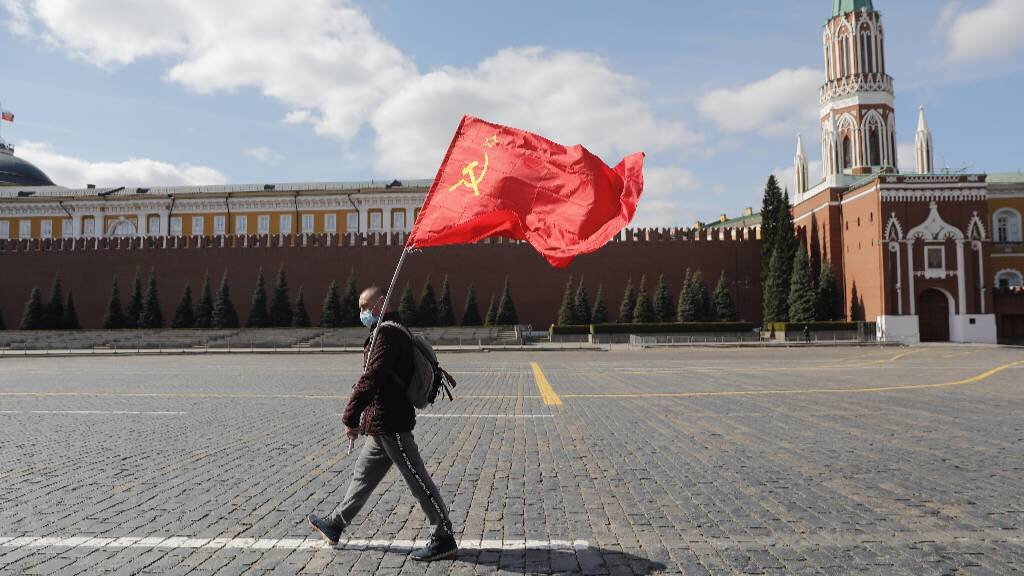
pixel 992 31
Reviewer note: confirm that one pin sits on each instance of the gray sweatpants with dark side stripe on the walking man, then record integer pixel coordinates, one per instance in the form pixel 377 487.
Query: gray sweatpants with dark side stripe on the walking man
pixel 378 454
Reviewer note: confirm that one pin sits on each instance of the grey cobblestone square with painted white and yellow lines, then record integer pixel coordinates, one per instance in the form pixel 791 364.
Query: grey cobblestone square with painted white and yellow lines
pixel 686 462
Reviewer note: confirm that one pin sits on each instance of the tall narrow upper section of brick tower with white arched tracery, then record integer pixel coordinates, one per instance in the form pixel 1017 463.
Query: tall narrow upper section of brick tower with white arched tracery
pixel 858 94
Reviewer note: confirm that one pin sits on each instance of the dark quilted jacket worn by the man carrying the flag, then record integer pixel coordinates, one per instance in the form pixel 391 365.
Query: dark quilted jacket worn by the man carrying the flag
pixel 378 404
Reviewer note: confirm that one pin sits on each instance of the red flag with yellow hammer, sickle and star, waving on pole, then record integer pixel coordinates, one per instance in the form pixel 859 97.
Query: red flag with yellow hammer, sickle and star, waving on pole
pixel 497 181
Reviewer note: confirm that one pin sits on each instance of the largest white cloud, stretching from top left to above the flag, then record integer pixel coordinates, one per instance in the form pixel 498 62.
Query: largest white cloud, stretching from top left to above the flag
pixel 324 60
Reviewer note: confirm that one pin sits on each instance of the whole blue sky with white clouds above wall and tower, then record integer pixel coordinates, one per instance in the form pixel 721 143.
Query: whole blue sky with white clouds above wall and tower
pixel 185 92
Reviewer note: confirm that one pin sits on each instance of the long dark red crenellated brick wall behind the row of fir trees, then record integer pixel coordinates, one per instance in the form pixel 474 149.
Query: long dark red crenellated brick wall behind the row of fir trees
pixel 88 266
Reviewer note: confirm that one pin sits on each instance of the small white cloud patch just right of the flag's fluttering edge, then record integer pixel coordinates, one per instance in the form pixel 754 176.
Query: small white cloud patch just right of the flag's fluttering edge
pixel 670 198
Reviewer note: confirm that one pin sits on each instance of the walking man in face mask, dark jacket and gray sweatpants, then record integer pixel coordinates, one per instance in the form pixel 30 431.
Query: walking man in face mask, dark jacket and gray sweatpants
pixel 379 409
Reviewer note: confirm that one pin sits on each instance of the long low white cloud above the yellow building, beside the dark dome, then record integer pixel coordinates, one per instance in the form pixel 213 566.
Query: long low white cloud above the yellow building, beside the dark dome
pixel 75 173
